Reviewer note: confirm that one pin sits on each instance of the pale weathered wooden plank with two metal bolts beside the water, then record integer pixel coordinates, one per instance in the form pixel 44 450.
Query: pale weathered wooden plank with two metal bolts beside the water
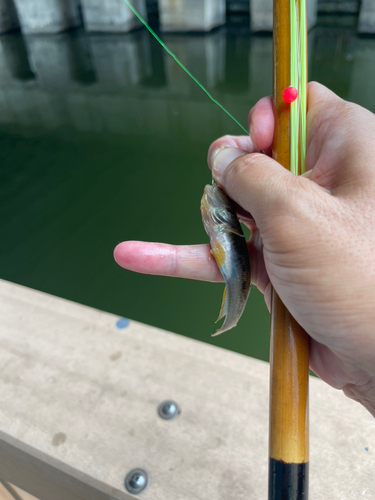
pixel 79 410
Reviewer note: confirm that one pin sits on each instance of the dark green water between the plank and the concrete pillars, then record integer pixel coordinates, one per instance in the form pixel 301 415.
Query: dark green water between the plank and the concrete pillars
pixel 104 139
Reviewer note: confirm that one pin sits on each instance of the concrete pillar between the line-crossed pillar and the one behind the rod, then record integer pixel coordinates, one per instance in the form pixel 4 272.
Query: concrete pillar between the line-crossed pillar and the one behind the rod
pixel 191 15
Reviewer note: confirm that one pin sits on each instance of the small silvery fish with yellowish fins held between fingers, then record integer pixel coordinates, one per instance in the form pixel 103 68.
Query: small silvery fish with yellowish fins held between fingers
pixel 228 246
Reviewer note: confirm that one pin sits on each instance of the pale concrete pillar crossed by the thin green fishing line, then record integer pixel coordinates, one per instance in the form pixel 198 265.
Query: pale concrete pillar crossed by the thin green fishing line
pixel 112 16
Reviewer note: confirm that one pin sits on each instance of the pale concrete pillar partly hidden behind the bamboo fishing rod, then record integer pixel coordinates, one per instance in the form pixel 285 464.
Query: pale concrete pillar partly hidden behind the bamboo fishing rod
pixel 261 14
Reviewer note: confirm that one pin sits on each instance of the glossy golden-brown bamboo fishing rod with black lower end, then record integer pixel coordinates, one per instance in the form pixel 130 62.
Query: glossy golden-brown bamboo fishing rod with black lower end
pixel 289 355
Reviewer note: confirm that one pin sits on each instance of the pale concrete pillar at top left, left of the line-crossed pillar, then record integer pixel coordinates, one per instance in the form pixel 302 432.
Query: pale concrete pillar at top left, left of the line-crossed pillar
pixel 47 16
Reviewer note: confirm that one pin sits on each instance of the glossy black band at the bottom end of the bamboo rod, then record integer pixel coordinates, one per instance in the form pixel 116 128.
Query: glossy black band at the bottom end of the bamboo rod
pixel 288 481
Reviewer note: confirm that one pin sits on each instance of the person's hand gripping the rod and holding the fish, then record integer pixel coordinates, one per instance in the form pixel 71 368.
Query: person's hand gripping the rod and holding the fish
pixel 313 237
